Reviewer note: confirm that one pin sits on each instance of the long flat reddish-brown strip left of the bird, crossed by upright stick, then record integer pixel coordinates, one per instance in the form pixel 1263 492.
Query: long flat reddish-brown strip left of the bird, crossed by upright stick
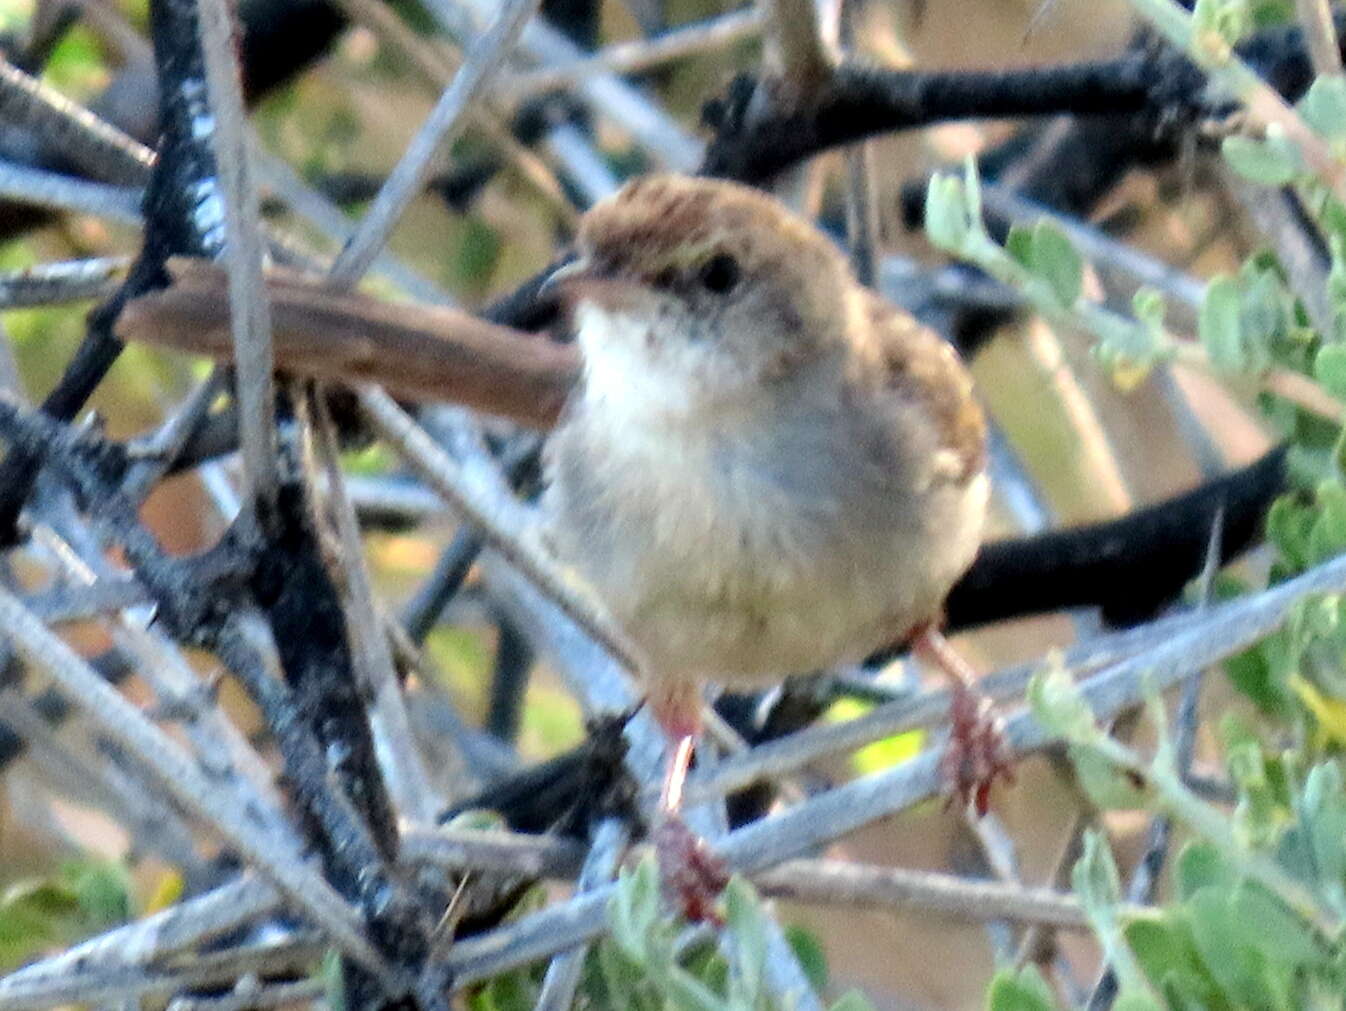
pixel 417 352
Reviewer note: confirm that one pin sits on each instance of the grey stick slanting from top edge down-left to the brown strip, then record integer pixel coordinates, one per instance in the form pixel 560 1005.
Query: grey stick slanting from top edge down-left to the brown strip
pixel 439 129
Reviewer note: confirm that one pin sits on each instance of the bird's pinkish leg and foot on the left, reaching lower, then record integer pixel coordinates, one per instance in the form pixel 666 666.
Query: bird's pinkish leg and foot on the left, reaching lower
pixel 694 877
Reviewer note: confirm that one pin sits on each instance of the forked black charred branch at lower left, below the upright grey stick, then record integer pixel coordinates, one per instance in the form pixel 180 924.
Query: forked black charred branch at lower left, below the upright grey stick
pixel 317 713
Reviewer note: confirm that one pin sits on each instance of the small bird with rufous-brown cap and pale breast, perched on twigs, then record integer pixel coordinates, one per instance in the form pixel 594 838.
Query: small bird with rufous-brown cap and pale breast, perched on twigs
pixel 767 470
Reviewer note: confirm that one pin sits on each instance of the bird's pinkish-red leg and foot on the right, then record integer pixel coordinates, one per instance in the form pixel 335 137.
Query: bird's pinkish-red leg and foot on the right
pixel 978 752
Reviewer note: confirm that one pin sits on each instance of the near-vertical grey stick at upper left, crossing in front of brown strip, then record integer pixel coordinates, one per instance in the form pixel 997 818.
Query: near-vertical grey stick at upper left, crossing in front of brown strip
pixel 250 309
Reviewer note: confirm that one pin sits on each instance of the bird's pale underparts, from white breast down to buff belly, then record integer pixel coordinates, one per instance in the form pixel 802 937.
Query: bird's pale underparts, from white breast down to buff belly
pixel 748 558
